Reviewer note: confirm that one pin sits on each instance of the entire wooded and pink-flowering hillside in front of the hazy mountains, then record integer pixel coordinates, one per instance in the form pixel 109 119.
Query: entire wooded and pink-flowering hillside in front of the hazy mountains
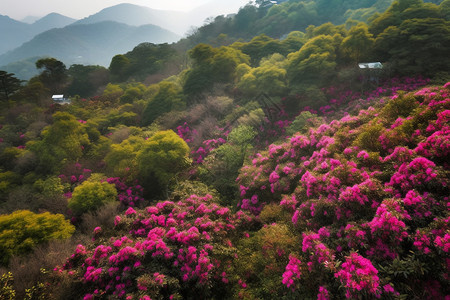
pixel 259 168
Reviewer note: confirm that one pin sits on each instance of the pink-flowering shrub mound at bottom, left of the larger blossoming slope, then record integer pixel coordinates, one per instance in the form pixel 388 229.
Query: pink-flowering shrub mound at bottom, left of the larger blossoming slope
pixel 164 251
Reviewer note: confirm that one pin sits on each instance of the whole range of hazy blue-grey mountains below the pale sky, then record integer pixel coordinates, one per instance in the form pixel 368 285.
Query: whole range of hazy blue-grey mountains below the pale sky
pixel 97 38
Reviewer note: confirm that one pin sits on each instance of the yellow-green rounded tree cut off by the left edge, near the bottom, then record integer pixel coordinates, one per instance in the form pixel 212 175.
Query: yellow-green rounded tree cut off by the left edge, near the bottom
pixel 22 230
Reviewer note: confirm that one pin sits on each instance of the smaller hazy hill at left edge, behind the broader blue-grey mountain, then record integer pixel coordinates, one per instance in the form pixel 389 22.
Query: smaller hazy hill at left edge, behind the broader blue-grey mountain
pixel 14 33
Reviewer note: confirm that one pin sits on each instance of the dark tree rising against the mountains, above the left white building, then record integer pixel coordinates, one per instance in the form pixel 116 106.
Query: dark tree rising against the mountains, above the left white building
pixel 54 74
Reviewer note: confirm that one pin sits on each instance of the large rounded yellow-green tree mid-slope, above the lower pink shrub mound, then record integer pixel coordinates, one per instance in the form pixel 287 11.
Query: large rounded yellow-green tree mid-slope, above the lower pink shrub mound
pixel 162 158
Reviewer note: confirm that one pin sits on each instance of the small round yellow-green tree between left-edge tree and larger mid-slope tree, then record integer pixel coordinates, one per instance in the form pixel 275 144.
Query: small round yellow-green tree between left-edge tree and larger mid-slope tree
pixel 92 194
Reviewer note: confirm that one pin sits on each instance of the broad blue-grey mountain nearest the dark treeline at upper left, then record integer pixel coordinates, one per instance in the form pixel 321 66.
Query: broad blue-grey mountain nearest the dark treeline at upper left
pixel 88 43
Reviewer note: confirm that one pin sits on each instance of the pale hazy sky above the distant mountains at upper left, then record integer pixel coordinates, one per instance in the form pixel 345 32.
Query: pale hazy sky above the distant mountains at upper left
pixel 77 9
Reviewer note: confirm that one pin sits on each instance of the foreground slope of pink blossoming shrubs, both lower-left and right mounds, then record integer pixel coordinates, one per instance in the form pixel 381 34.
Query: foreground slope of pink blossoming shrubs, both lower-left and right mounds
pixel 357 208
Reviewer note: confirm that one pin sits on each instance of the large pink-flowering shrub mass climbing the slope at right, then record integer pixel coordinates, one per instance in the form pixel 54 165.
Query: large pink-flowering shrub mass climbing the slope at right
pixel 369 194
